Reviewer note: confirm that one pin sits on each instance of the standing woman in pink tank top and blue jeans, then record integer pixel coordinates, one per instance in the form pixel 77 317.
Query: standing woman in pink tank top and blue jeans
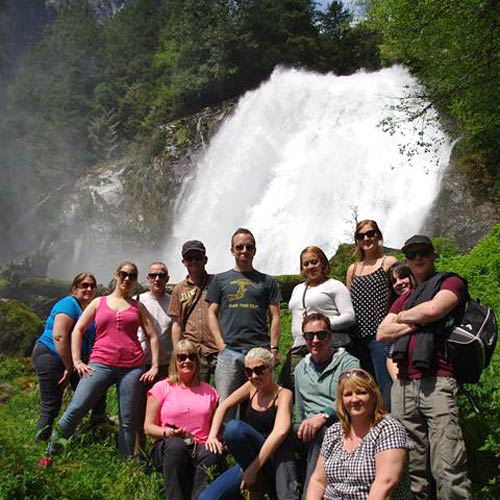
pixel 117 358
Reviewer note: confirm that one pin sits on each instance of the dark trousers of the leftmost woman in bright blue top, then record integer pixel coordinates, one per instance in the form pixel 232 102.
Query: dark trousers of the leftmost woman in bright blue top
pixel 49 370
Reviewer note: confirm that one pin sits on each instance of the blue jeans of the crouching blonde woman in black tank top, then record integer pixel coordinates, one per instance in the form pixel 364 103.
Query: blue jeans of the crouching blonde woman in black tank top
pixel 244 443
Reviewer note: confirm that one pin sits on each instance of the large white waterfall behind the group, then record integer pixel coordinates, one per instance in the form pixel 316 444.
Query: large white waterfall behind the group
pixel 294 160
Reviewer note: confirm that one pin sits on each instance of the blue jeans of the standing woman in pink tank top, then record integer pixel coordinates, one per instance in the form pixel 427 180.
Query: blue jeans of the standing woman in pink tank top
pixel 90 389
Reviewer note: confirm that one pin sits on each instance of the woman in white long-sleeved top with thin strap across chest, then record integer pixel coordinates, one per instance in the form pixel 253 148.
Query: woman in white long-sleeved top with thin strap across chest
pixel 320 294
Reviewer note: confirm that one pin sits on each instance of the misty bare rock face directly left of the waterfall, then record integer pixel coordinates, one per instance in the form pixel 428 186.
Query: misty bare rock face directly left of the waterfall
pixel 124 209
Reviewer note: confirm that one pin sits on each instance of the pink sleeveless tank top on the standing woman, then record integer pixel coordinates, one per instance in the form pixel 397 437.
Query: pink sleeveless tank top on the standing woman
pixel 116 342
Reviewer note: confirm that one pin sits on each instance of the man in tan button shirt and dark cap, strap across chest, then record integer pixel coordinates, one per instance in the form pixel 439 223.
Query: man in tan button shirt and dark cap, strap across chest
pixel 189 310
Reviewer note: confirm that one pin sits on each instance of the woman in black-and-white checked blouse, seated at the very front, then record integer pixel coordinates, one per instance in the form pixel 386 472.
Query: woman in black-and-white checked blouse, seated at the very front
pixel 364 454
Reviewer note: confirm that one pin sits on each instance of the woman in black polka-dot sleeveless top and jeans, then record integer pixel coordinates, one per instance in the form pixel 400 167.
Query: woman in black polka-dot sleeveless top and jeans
pixel 370 289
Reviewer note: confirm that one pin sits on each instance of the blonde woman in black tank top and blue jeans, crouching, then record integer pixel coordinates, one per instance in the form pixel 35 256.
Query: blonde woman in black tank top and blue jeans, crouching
pixel 259 440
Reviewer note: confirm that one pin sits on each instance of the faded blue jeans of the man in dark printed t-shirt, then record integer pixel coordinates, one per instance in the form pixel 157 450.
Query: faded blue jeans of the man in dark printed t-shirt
pixel 229 374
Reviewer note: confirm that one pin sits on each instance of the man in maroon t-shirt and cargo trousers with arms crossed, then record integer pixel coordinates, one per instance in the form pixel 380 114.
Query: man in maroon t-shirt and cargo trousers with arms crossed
pixel 423 397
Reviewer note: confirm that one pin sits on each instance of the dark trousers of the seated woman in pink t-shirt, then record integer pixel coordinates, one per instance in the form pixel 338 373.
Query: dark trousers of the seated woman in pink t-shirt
pixel 184 467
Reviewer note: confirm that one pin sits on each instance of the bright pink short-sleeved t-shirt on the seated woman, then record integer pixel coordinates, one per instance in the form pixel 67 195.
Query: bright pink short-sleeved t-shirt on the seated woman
pixel 190 407
